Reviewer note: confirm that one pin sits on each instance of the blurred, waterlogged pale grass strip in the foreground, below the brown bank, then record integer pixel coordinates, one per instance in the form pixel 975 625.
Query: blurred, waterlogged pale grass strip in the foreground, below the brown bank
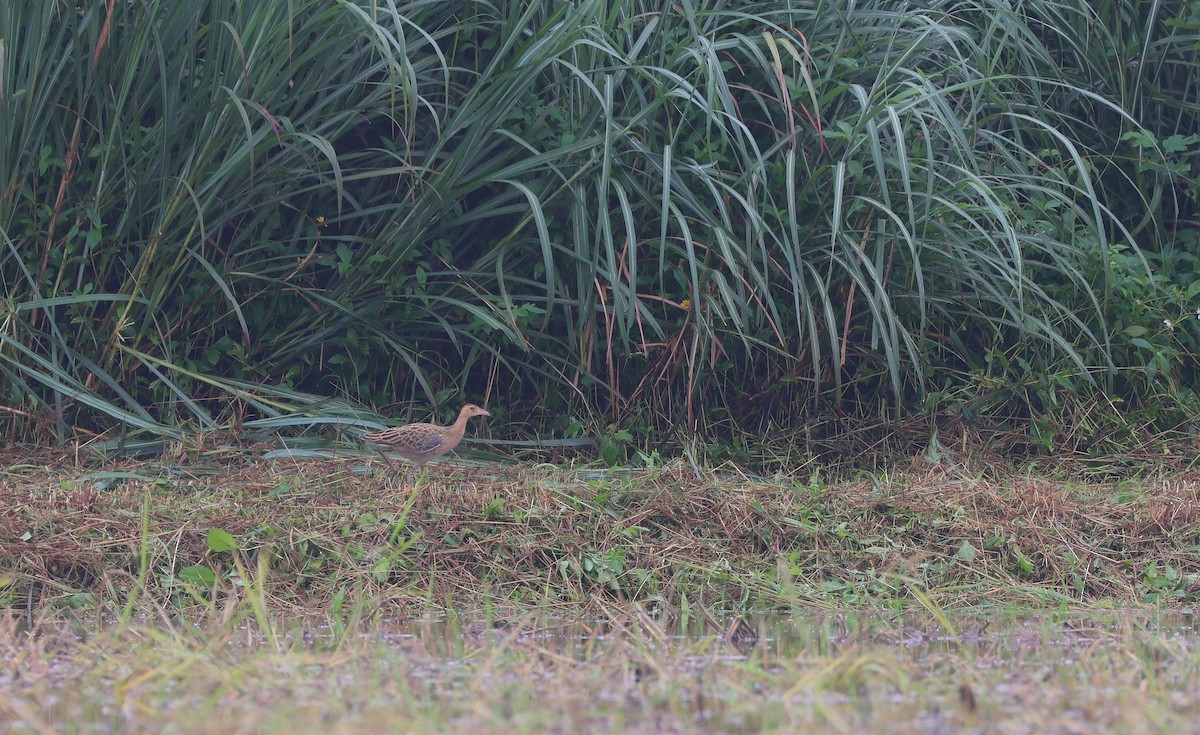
pixel 1103 672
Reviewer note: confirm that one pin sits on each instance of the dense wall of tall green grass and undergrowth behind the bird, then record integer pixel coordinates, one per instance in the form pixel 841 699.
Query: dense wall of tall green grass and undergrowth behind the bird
pixel 603 218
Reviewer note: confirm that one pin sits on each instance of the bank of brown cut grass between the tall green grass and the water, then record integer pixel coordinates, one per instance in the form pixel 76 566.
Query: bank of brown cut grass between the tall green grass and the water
pixel 334 535
